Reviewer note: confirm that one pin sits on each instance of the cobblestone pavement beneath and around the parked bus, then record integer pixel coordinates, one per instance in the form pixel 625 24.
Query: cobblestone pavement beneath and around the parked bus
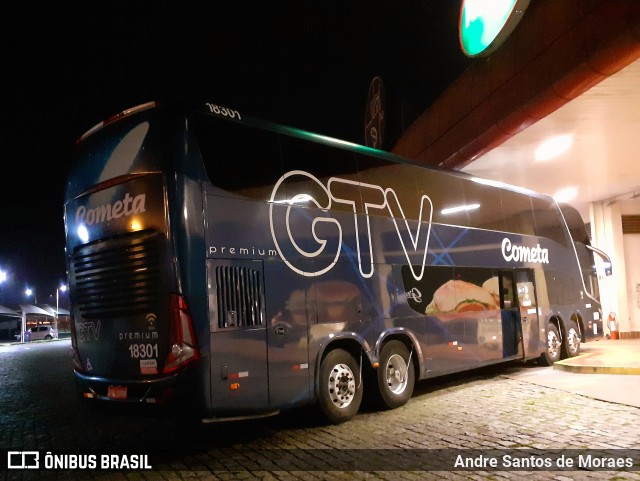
pixel 483 410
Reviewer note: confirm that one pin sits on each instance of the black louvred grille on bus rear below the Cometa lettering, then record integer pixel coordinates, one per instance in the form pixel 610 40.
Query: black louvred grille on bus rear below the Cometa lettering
pixel 118 277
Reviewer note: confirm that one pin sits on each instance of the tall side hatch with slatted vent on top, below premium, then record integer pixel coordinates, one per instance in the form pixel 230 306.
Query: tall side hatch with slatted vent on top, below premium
pixel 239 381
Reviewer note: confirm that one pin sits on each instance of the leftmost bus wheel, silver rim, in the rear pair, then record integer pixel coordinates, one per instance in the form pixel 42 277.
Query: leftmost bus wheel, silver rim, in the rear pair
pixel 340 391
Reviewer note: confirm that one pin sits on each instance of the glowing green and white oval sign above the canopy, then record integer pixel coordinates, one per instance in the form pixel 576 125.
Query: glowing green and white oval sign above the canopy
pixel 485 24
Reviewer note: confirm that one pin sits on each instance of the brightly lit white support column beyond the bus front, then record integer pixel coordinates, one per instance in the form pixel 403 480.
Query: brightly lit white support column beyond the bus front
pixel 606 230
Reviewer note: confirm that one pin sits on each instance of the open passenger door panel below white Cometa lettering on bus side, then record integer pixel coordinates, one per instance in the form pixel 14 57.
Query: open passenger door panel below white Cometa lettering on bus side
pixel 525 287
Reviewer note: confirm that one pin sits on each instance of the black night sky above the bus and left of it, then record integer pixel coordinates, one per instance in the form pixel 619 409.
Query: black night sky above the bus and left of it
pixel 69 65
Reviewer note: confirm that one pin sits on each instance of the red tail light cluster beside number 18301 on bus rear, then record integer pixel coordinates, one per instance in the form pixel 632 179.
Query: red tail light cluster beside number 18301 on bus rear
pixel 184 348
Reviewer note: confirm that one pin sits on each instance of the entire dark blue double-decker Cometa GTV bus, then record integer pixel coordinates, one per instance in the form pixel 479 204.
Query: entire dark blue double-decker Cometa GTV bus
pixel 249 267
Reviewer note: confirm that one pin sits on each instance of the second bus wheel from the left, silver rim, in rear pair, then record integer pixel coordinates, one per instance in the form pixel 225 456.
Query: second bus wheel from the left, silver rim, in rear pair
pixel 396 375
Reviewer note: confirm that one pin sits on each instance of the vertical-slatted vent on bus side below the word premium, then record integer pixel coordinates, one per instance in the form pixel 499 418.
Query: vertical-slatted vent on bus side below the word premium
pixel 239 295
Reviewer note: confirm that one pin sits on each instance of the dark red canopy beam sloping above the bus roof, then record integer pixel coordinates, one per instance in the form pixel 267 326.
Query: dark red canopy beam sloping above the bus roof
pixel 558 51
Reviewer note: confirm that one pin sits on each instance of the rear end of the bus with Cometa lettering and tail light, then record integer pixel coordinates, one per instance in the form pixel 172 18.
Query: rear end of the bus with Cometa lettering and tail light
pixel 132 333
